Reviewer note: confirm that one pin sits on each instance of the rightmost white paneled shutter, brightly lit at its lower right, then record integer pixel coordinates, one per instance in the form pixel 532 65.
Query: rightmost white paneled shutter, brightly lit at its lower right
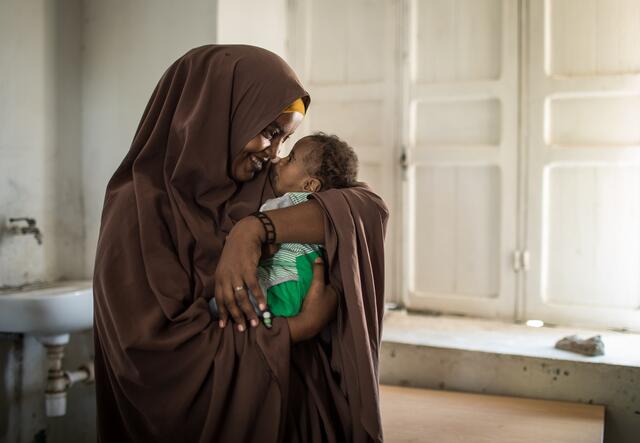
pixel 584 162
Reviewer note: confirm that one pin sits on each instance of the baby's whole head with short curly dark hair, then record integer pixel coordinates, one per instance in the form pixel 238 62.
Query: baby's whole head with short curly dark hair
pixel 316 163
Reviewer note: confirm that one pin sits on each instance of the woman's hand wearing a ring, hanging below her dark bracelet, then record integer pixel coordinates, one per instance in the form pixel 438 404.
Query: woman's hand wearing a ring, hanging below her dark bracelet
pixel 236 272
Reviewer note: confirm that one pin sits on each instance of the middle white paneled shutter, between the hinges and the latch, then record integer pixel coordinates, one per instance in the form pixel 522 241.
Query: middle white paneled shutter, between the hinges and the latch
pixel 461 136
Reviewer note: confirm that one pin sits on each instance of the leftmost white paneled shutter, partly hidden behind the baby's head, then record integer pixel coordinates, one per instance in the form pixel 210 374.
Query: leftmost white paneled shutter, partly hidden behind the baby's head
pixel 345 53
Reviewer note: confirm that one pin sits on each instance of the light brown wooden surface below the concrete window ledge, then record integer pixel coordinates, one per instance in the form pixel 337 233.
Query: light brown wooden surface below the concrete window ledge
pixel 423 415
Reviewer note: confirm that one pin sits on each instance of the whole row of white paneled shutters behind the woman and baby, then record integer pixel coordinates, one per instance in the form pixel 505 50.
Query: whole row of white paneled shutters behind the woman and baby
pixel 505 137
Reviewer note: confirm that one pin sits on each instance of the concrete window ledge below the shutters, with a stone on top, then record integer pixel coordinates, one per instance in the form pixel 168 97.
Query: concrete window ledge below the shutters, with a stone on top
pixel 492 357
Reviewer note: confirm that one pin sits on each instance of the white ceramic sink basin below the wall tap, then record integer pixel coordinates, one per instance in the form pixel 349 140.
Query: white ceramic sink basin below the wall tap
pixel 48 308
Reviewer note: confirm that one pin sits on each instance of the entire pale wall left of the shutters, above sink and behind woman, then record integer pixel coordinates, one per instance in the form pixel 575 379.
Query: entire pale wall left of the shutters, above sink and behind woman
pixel 73 90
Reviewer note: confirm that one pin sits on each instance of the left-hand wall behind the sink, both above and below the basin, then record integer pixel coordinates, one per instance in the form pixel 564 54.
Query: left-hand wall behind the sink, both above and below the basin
pixel 40 178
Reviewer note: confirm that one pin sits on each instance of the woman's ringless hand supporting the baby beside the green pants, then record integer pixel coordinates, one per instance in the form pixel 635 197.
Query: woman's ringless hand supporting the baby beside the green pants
pixel 318 309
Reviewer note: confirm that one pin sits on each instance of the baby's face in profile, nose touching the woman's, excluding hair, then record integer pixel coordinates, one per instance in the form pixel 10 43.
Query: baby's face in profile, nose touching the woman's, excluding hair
pixel 291 174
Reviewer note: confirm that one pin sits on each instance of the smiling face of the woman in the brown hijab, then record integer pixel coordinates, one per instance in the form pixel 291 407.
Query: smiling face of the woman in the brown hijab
pixel 264 146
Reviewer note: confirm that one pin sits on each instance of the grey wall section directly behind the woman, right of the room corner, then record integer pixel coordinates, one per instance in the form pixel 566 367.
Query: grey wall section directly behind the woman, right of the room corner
pixel 127 47
